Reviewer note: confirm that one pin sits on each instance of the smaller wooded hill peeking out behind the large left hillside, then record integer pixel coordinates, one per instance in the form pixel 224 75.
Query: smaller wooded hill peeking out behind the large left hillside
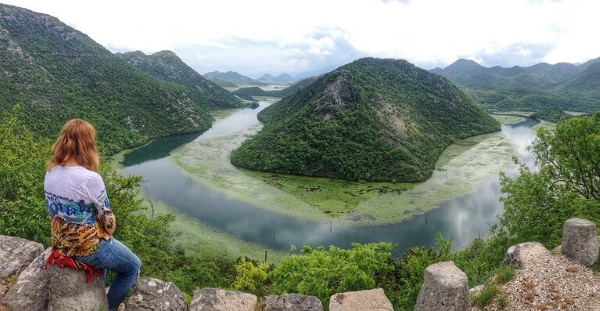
pixel 167 66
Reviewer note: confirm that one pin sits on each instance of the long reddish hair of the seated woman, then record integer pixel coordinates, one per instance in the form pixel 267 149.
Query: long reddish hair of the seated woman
pixel 76 141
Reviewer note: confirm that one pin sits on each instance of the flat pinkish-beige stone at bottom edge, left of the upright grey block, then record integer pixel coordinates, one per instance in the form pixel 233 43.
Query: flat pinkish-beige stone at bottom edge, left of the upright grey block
pixel 364 300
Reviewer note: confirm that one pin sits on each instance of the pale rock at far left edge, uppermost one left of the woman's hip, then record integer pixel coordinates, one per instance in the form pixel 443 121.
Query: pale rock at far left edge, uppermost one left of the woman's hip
pixel 16 254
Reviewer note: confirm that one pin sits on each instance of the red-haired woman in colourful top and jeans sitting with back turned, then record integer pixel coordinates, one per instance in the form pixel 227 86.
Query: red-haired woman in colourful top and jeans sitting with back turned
pixel 82 221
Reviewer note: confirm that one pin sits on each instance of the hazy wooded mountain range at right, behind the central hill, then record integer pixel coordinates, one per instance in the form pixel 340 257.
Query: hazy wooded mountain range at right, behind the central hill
pixel 560 86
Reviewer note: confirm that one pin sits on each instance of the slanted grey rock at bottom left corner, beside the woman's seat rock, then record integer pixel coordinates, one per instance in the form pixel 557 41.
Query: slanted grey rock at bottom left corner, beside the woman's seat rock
pixel 30 292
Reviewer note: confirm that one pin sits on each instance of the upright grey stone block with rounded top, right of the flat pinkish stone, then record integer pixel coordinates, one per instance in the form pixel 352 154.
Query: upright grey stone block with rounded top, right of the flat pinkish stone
pixel 445 288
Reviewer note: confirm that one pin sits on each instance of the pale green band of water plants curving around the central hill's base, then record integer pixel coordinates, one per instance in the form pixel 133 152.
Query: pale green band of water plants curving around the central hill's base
pixel 459 171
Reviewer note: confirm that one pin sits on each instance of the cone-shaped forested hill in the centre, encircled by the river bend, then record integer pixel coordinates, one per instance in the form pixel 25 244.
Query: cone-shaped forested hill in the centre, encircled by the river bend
pixel 372 119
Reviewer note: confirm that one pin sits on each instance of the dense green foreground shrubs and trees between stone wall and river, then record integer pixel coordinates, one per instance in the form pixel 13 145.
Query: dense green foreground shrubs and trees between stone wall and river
pixel 537 203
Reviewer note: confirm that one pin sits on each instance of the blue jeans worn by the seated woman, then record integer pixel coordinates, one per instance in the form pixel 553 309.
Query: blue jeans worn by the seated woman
pixel 115 256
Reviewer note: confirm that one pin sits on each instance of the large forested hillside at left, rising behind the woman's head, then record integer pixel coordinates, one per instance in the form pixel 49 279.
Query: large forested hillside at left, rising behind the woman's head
pixel 55 73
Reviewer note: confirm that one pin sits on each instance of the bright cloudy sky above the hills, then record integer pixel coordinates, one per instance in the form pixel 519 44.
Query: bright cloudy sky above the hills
pixel 304 37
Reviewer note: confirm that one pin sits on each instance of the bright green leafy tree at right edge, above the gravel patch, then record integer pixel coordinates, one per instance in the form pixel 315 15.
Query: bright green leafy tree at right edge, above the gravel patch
pixel 566 184
